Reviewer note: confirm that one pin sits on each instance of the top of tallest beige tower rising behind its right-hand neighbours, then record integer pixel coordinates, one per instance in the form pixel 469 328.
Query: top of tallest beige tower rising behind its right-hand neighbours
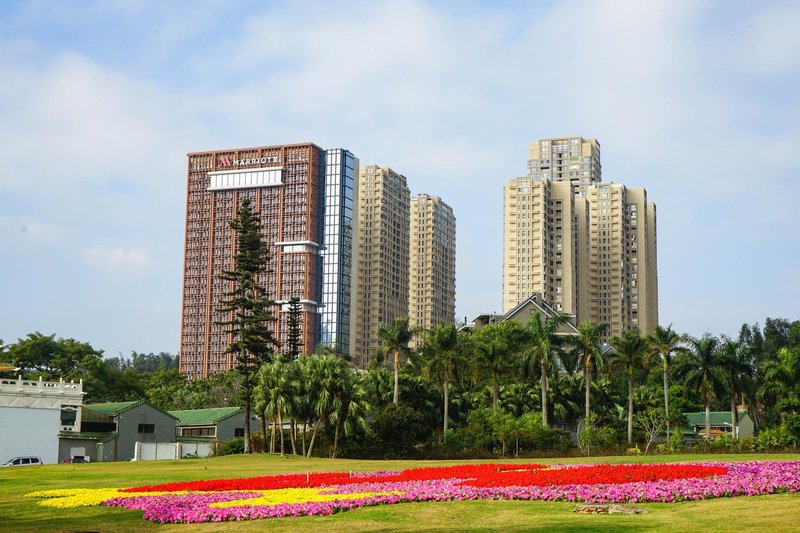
pixel 572 159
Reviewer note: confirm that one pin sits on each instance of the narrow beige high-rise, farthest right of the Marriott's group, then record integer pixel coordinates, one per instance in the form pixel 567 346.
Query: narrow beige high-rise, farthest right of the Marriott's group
pixel 432 272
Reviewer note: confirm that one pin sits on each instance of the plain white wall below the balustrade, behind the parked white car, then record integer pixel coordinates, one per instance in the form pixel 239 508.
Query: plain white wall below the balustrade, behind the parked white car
pixel 27 431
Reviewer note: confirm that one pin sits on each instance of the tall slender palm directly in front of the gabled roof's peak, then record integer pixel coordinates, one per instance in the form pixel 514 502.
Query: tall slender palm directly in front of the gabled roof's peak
pixel 543 347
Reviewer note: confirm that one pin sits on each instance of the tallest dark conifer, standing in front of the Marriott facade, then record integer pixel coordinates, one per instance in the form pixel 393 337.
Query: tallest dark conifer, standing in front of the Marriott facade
pixel 247 307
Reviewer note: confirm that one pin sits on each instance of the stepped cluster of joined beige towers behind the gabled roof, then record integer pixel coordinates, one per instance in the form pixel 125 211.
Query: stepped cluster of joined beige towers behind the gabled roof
pixel 588 247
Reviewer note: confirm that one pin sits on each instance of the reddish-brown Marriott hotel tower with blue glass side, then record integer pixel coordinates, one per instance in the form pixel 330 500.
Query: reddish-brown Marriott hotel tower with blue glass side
pixel 304 197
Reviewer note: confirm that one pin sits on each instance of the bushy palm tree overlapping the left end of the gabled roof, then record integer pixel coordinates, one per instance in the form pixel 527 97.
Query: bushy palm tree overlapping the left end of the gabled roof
pixel 492 348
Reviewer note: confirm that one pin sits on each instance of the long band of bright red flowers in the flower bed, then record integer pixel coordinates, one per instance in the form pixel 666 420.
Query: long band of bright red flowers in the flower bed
pixel 486 475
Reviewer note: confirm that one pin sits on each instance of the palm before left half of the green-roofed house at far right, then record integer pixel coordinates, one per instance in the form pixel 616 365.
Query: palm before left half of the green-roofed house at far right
pixel 701 371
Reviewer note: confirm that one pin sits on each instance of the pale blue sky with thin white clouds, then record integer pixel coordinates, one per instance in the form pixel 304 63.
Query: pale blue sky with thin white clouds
pixel 100 102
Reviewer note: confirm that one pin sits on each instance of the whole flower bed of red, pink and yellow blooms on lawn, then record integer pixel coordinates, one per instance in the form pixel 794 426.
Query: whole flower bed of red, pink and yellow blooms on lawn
pixel 327 493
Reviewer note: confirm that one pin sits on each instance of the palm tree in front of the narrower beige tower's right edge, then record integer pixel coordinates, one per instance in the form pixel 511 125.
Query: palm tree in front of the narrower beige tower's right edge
pixel 441 358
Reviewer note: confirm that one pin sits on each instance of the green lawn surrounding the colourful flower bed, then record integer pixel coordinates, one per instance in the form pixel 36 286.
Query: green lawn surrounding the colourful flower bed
pixel 762 513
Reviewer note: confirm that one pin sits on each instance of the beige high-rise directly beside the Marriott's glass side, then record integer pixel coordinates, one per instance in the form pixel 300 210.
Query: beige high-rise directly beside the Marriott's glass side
pixel 382 258
